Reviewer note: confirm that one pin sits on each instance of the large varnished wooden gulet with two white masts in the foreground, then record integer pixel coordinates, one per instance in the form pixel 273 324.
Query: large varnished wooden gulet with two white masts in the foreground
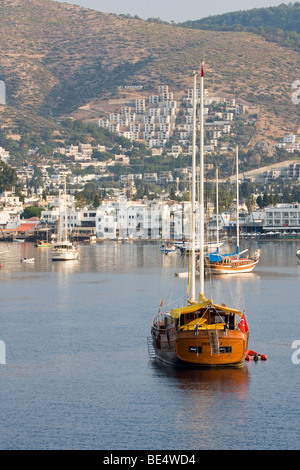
pixel 202 333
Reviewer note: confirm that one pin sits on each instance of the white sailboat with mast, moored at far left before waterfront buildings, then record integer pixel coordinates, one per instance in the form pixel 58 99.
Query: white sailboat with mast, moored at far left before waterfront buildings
pixel 63 249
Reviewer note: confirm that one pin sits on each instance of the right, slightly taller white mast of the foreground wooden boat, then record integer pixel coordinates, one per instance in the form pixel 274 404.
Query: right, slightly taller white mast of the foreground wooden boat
pixel 201 205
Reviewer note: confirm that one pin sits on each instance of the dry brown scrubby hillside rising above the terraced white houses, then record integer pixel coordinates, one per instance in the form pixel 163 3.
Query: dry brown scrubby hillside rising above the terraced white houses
pixel 56 58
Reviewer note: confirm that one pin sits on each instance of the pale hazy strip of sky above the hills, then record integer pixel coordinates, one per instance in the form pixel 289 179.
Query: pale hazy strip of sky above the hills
pixel 176 10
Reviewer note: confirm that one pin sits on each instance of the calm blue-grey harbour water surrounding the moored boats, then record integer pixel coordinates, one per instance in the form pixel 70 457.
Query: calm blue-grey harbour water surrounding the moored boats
pixel 78 374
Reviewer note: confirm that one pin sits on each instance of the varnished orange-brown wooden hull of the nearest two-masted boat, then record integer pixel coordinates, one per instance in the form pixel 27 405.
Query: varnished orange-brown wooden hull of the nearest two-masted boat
pixel 186 348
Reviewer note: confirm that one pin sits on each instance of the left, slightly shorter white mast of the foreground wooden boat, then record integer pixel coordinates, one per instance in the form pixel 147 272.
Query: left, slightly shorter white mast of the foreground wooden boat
pixel 193 228
